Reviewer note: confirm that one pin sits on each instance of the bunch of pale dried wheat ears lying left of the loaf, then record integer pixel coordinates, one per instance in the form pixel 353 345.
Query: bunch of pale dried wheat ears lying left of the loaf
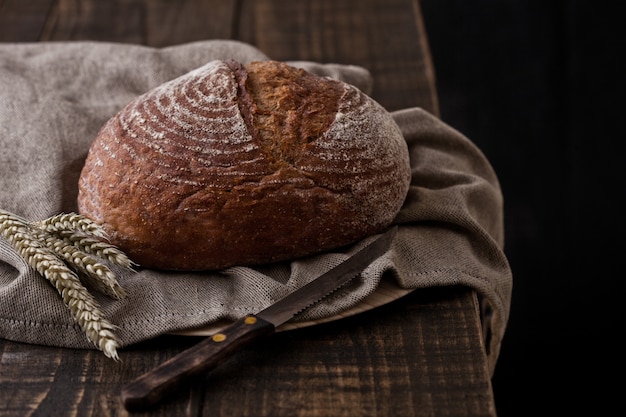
pixel 63 249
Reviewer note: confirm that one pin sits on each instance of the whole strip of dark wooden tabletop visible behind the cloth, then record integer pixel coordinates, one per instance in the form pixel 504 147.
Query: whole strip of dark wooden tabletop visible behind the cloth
pixel 385 36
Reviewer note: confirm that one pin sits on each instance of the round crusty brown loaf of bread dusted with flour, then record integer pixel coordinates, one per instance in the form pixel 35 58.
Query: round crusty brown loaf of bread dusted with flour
pixel 244 165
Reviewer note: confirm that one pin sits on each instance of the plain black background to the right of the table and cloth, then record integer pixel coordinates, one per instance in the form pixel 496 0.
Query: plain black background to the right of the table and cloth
pixel 538 85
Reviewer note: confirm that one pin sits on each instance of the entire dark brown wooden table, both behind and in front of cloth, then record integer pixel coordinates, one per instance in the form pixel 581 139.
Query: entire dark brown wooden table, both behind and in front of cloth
pixel 421 355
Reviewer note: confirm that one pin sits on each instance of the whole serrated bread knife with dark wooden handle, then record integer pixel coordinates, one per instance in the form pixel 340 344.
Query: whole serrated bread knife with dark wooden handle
pixel 150 388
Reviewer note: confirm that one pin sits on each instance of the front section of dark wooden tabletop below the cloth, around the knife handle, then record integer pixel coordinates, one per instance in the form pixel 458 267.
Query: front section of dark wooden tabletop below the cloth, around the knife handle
pixel 407 358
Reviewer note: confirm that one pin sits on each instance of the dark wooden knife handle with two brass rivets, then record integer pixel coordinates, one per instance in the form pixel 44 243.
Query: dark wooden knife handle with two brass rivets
pixel 152 387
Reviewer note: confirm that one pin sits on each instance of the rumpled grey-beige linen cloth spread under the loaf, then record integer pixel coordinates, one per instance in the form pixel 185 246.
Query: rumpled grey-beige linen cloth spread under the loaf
pixel 54 97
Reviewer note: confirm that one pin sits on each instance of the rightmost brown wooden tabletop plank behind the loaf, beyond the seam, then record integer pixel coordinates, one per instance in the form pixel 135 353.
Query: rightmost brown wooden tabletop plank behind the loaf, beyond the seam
pixel 384 36
